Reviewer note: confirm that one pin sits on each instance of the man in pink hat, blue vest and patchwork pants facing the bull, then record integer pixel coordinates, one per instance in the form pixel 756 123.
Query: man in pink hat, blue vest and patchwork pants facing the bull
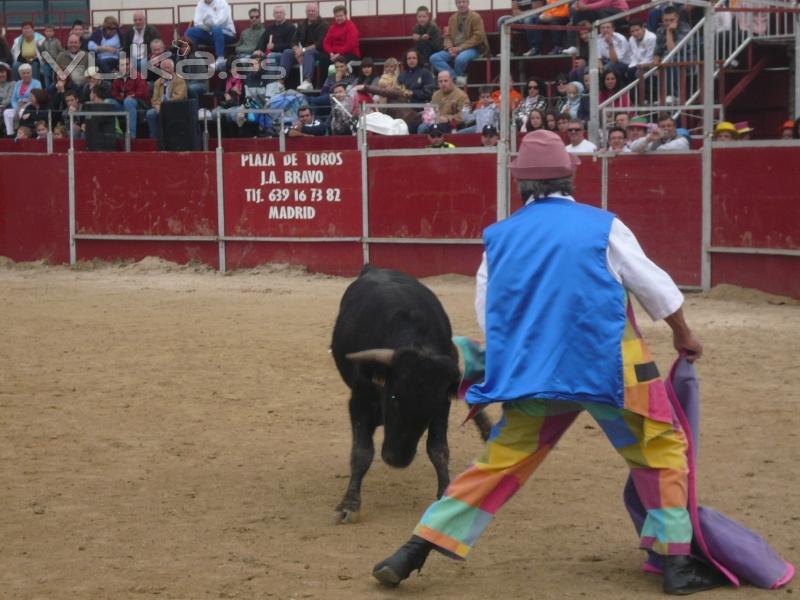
pixel 552 297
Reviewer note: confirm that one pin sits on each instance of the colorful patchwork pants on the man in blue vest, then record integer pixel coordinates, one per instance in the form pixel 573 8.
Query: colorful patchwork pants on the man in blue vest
pixel 527 431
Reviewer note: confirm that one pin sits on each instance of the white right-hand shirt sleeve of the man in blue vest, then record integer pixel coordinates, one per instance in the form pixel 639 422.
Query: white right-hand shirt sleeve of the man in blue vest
pixel 651 285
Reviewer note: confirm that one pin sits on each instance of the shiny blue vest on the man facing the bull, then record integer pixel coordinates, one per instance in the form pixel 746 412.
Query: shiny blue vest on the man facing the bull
pixel 554 314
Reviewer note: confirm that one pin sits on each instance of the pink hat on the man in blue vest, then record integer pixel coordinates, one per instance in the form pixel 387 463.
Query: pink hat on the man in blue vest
pixel 542 155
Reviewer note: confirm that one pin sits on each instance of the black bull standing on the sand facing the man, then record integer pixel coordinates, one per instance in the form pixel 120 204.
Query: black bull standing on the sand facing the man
pixel 392 345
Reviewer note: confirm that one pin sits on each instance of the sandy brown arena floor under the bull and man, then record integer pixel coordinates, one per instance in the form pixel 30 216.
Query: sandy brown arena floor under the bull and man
pixel 176 433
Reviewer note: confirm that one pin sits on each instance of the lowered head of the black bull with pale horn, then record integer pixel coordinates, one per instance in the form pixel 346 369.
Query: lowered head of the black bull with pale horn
pixel 416 388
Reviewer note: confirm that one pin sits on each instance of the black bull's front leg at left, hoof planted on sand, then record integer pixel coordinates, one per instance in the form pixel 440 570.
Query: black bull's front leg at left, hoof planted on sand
pixel 363 422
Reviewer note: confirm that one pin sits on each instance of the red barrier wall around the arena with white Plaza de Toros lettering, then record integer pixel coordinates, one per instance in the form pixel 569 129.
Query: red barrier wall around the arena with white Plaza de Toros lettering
pixel 434 196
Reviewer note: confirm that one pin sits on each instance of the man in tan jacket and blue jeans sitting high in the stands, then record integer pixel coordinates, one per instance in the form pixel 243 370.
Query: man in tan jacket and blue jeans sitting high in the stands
pixel 465 41
